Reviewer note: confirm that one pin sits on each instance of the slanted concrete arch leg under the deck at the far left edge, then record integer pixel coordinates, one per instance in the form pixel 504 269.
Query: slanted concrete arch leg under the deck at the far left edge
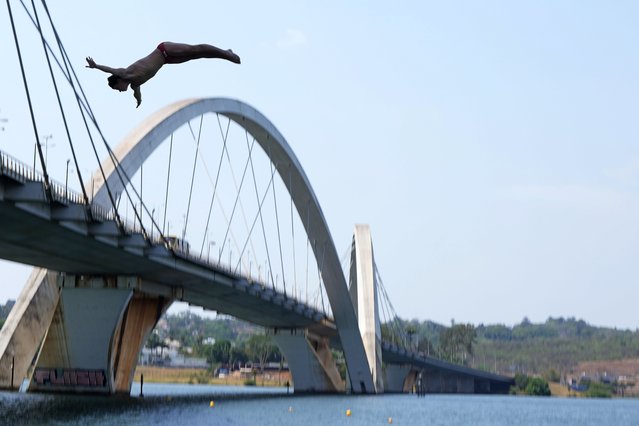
pixel 26 325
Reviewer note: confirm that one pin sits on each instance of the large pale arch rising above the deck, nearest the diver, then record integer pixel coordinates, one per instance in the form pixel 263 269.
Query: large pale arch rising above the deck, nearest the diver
pixel 141 143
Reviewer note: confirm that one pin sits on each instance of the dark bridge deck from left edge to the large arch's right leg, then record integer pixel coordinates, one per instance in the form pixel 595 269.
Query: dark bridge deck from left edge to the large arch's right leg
pixel 61 235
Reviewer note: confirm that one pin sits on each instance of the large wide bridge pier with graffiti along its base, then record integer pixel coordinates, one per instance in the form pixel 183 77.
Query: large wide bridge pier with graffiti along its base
pixel 98 328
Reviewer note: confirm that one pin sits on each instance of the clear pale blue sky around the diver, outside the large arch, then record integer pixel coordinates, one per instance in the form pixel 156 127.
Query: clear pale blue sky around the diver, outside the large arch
pixel 492 146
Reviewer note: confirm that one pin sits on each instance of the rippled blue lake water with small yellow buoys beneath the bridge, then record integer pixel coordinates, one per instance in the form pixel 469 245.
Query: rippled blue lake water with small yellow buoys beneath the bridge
pixel 191 405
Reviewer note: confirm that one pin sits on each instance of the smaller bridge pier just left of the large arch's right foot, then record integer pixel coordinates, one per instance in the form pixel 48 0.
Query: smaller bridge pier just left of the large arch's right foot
pixel 310 361
